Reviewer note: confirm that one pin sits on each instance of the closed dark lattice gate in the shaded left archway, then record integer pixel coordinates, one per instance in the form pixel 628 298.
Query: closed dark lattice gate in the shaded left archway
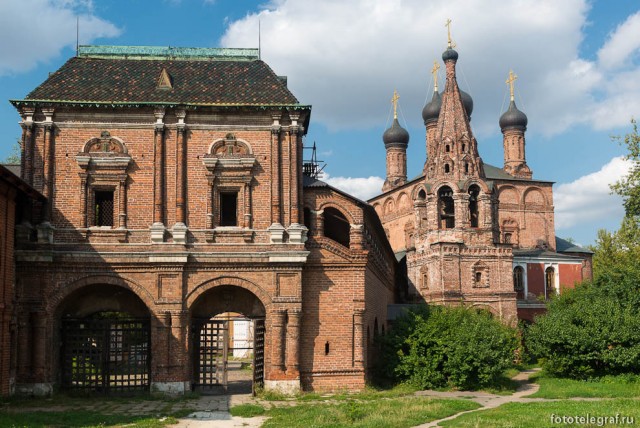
pixel 106 355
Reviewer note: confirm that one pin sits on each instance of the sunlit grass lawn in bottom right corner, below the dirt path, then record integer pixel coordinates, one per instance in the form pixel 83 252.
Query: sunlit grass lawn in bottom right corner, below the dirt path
pixel 538 415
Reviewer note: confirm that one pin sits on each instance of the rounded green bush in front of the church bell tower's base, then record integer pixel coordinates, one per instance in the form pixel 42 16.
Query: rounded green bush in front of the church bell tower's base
pixel 444 346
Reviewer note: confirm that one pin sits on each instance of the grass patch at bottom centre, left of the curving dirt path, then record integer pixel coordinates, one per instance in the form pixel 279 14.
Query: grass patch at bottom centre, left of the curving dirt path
pixel 380 413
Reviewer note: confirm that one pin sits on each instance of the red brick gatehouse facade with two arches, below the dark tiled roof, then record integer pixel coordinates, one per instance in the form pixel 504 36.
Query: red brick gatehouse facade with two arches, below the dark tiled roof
pixel 207 206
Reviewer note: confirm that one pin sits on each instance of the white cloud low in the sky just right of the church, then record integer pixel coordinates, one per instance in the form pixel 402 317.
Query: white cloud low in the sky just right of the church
pixel 589 199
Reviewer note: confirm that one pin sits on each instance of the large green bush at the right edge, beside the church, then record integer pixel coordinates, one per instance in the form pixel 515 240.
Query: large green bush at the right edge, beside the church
pixel 593 330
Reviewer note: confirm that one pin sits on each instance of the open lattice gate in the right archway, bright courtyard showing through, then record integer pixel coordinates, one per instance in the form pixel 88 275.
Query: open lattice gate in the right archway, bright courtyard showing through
pixel 224 360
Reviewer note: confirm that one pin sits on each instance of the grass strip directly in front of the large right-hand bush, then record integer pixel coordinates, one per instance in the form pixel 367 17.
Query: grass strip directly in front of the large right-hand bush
pixel 605 387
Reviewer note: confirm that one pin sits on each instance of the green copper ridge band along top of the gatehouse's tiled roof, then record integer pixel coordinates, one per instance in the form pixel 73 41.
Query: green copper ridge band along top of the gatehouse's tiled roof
pixel 167 52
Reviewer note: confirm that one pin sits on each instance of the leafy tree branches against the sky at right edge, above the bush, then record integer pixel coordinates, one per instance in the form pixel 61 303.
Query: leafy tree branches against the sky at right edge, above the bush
pixel 629 186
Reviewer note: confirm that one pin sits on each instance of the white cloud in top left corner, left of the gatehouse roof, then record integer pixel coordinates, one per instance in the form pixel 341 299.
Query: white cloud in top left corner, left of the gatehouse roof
pixel 35 31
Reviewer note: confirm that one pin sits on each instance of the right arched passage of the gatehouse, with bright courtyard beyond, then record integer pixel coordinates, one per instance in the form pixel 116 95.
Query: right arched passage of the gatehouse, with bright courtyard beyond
pixel 228 331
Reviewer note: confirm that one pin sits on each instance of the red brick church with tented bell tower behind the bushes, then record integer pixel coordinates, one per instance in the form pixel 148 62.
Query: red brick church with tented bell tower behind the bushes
pixel 473 233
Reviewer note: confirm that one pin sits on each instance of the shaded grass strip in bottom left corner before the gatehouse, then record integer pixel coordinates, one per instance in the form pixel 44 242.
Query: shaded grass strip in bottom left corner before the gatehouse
pixel 80 418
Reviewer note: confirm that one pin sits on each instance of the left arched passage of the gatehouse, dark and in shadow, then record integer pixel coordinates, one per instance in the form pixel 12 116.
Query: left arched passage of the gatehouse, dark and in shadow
pixel 105 339
